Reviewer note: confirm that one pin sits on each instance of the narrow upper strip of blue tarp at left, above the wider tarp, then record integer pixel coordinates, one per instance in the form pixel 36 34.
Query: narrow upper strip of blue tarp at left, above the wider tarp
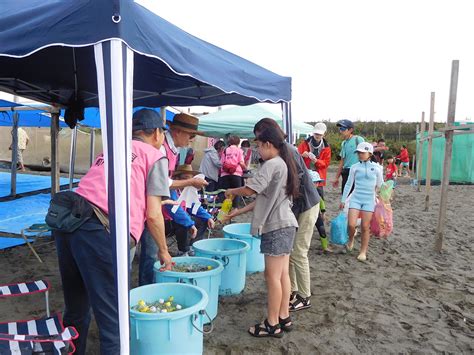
pixel 27 183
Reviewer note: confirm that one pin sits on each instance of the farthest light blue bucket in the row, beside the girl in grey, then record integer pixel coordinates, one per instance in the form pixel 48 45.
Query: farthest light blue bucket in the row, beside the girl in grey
pixel 241 231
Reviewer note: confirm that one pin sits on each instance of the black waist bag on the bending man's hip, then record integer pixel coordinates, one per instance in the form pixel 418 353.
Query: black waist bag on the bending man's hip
pixel 68 211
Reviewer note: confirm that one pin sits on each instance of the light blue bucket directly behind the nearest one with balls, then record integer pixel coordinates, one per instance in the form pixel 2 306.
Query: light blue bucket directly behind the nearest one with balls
pixel 209 281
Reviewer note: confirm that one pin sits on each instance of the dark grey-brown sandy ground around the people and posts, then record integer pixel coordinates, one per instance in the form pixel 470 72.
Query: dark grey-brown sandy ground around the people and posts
pixel 407 299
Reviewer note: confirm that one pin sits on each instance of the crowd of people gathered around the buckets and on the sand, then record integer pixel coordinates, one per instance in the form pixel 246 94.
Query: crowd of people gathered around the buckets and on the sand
pixel 288 185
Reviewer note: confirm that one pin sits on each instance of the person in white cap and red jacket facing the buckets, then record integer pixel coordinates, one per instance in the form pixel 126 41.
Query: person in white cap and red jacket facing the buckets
pixel 316 153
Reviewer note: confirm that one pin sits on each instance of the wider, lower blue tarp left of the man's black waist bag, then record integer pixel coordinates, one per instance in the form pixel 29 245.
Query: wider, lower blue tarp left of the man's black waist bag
pixel 18 214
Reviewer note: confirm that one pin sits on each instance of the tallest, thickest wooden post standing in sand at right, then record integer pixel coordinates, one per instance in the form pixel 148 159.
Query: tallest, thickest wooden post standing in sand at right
pixel 447 156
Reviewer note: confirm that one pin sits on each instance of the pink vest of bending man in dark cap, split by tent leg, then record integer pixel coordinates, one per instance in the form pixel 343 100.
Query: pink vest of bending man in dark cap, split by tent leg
pixel 92 185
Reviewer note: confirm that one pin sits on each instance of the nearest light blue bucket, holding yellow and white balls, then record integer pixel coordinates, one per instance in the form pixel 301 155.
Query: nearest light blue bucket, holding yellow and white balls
pixel 179 332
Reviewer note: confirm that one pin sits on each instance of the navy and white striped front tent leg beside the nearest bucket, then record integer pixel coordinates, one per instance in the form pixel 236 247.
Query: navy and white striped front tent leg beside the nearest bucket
pixel 114 65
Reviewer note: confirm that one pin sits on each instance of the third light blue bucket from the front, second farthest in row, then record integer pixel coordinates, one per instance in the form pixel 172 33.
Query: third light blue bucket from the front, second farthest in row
pixel 233 255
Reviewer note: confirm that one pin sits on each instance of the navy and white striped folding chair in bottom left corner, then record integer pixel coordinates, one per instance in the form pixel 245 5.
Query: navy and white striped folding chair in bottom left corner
pixel 45 335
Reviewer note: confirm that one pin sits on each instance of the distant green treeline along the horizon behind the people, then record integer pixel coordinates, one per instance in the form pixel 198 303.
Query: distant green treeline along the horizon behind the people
pixel 395 135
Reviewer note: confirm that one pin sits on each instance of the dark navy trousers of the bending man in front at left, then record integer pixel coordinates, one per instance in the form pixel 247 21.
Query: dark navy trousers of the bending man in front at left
pixel 86 263
